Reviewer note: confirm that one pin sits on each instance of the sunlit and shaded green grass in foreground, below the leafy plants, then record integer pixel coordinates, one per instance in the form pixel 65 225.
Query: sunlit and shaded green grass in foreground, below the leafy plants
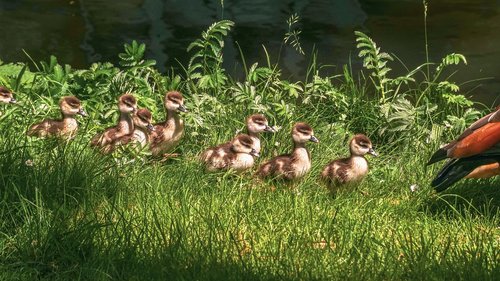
pixel 78 215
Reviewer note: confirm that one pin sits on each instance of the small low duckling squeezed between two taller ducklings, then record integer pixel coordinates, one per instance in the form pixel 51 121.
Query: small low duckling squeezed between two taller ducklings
pixel 142 129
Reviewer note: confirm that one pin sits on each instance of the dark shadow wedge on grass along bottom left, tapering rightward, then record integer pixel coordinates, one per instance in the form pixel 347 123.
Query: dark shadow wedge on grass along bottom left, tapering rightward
pixel 74 251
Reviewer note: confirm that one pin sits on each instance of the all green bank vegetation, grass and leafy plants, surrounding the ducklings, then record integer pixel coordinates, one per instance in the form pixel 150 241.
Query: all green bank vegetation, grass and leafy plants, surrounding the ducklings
pixel 67 212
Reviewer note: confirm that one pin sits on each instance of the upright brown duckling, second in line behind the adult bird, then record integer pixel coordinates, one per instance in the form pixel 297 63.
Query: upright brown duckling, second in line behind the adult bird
pixel 294 165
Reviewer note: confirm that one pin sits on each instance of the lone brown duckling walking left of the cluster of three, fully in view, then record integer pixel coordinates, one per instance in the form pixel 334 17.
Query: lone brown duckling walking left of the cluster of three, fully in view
pixel 64 128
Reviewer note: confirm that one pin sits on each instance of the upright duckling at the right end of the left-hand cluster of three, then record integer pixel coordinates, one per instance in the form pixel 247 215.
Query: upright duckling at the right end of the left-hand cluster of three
pixel 166 135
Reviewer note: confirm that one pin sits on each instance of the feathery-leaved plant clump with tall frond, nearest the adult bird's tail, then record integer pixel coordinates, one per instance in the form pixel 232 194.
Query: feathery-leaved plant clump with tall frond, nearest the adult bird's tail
pixel 413 112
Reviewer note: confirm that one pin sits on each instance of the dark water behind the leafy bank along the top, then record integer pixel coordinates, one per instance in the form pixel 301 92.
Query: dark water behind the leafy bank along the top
pixel 84 31
